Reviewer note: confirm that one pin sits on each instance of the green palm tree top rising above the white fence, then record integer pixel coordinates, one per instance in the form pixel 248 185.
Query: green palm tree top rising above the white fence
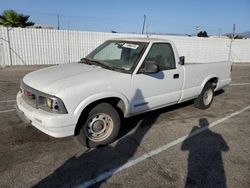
pixel 11 18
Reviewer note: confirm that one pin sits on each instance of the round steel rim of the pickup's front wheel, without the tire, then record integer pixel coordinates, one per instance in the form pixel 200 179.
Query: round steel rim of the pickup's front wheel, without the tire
pixel 99 127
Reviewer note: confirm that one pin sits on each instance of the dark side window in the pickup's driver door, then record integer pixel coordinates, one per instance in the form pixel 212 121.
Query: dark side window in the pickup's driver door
pixel 162 54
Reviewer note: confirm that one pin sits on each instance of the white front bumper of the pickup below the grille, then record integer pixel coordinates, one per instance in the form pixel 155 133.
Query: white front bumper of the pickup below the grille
pixel 55 125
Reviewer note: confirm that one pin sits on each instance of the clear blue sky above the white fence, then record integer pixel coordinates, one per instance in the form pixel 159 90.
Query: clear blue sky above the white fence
pixel 162 16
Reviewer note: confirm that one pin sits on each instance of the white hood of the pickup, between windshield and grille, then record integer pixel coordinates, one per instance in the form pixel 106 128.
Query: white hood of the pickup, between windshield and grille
pixel 53 80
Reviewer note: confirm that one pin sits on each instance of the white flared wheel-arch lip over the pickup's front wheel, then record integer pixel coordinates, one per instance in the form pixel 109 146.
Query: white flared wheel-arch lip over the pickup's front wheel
pixel 100 96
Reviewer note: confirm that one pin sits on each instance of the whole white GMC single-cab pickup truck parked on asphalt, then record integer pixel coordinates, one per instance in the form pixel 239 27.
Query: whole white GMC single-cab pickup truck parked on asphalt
pixel 120 78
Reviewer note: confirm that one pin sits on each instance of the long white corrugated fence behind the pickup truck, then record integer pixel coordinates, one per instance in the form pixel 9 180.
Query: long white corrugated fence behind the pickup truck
pixel 42 46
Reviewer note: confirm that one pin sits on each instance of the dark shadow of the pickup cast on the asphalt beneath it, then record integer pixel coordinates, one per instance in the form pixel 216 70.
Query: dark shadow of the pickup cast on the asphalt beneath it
pixel 80 169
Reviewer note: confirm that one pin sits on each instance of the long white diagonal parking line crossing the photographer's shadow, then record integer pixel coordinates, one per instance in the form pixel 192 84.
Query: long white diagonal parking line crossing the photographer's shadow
pixel 133 162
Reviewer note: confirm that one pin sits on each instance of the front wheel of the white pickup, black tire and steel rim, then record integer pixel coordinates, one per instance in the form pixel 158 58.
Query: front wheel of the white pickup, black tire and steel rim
pixel 100 127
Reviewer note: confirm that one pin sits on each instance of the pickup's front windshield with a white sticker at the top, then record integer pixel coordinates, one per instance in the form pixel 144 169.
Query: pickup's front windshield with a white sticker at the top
pixel 118 55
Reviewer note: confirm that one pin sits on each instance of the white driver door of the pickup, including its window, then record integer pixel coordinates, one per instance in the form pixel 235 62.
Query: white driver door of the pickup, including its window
pixel 154 90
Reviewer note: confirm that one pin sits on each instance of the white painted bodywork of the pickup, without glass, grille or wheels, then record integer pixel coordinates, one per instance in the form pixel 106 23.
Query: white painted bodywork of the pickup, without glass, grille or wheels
pixel 79 85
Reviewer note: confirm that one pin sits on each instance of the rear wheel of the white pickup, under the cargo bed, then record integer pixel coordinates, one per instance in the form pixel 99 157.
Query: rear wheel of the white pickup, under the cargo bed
pixel 205 99
